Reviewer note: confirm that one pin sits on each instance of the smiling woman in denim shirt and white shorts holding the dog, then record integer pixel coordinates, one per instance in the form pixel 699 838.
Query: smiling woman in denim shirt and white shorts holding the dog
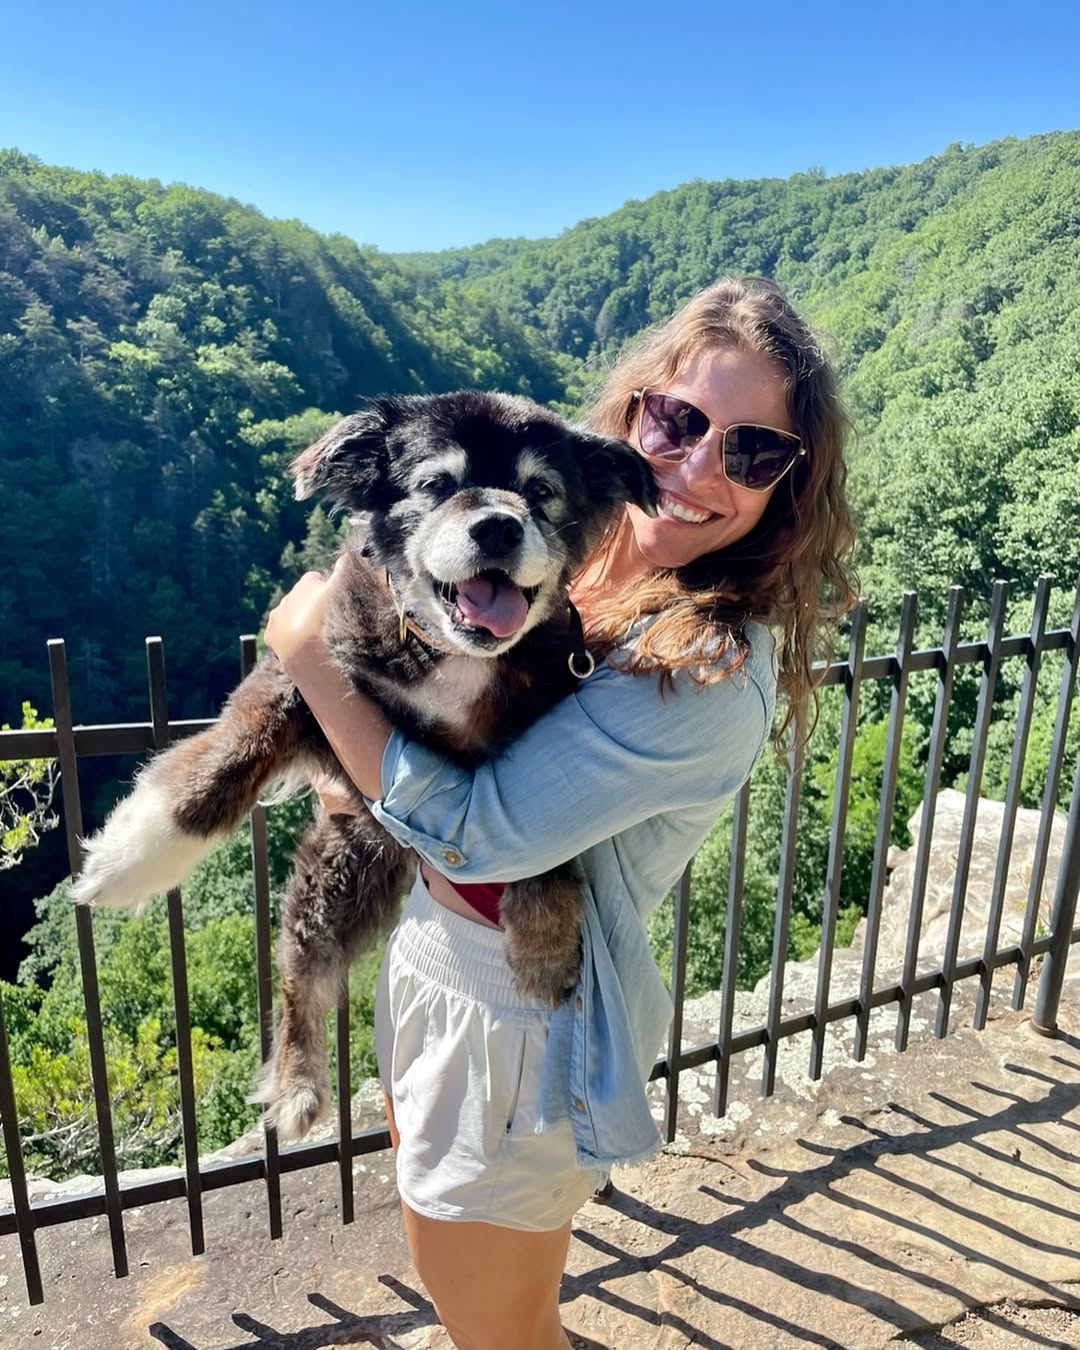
pixel 504 1114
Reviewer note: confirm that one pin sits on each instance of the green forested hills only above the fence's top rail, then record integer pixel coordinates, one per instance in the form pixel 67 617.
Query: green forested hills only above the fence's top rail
pixel 164 350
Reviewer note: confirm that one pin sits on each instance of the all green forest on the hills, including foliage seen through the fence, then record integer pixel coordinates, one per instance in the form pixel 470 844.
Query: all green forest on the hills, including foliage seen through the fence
pixel 164 352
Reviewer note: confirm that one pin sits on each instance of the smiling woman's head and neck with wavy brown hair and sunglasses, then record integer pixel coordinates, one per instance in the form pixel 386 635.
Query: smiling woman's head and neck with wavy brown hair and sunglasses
pixel 722 551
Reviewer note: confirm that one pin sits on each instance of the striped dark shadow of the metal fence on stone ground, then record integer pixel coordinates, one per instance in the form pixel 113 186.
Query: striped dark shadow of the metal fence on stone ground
pixel 935 1143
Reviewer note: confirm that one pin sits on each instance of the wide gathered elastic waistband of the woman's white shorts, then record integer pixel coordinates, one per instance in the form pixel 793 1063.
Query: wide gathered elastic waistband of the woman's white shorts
pixel 465 958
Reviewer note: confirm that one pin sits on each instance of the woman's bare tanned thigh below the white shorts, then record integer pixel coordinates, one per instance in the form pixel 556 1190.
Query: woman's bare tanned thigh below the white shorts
pixel 492 1287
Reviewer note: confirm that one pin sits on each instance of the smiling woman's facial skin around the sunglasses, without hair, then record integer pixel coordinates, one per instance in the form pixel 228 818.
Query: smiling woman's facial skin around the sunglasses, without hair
pixel 700 511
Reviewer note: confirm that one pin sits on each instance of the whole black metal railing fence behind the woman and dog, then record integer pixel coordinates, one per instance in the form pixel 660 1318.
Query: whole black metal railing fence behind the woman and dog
pixel 70 745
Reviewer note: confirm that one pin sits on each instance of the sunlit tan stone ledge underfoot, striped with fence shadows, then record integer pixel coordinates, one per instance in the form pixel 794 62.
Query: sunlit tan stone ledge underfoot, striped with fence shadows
pixel 881 1204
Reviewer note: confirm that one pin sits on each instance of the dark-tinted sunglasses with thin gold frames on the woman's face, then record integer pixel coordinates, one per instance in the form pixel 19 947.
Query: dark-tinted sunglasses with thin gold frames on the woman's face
pixel 755 458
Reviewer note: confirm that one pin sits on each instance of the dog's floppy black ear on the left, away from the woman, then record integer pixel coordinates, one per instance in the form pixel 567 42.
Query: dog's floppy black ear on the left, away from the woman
pixel 352 464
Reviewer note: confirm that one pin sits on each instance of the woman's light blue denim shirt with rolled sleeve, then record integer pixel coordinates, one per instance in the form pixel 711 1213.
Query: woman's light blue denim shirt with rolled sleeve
pixel 630 784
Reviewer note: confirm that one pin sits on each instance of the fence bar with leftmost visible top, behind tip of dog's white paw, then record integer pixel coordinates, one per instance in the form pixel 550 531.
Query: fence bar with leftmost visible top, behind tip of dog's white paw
pixel 87 961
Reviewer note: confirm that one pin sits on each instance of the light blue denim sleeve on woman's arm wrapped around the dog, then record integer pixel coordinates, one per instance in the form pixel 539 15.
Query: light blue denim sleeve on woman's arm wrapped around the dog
pixel 601 762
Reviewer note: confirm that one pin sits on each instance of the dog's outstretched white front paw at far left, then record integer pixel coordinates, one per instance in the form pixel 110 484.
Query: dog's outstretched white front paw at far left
pixel 141 853
